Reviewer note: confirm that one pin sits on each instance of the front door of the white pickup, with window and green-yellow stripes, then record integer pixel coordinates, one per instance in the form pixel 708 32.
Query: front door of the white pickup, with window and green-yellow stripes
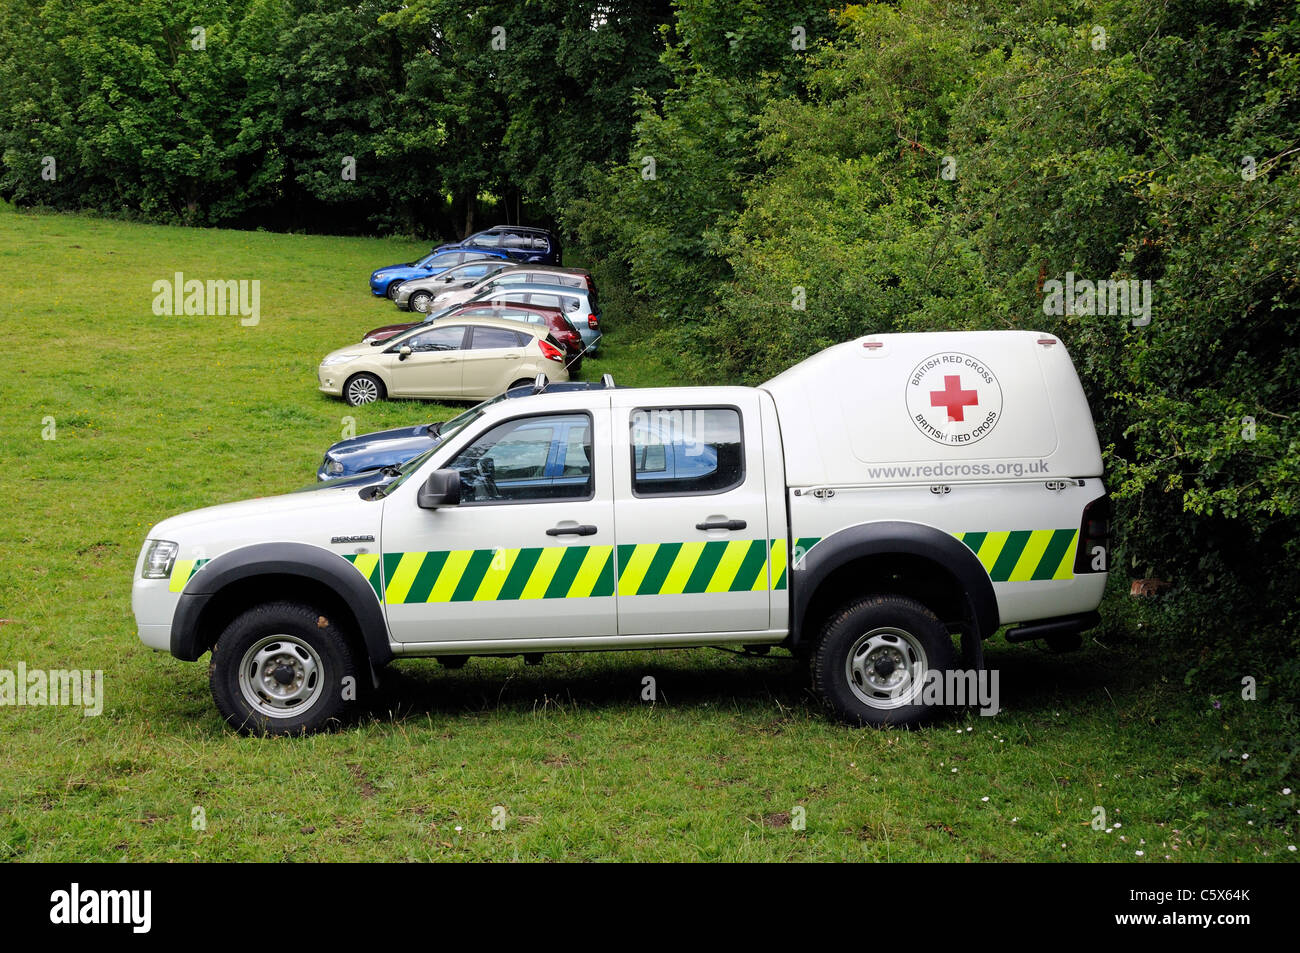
pixel 530 551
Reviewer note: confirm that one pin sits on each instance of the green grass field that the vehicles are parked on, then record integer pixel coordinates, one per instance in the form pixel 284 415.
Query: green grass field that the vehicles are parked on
pixel 158 415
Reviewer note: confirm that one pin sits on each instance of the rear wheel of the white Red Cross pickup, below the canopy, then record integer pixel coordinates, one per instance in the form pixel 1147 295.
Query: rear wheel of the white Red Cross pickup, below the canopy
pixel 872 660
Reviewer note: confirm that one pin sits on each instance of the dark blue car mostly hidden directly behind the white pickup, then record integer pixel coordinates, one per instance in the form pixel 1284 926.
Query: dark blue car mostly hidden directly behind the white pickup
pixel 375 458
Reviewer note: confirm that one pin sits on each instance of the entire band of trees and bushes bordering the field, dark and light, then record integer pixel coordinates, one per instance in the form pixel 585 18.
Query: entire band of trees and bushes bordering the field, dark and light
pixel 774 177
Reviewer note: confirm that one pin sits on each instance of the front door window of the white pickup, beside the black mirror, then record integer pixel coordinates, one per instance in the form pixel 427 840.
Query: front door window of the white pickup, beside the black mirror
pixel 532 460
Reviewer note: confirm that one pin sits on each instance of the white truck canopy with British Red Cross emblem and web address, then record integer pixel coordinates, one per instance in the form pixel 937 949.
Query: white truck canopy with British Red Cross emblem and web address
pixel 935 408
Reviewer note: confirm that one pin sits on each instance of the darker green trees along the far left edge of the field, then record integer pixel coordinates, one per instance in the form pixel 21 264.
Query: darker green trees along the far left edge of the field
pixel 248 111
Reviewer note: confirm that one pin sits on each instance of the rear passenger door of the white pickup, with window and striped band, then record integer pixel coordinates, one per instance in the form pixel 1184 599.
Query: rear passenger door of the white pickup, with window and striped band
pixel 692 516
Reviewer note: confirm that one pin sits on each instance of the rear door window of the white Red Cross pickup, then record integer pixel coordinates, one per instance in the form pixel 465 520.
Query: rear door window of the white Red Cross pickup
pixel 686 450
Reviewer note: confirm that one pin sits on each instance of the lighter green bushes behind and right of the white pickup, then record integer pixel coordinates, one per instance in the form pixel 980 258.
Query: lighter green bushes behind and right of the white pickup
pixel 939 166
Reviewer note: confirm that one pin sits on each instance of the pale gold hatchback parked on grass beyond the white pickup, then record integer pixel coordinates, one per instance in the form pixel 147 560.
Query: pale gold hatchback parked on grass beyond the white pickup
pixel 471 359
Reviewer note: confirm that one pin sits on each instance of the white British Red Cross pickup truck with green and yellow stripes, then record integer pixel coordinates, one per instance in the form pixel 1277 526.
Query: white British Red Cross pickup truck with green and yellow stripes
pixel 879 509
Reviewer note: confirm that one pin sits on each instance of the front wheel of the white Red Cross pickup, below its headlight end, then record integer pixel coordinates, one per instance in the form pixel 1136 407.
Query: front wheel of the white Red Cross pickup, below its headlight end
pixel 283 669
